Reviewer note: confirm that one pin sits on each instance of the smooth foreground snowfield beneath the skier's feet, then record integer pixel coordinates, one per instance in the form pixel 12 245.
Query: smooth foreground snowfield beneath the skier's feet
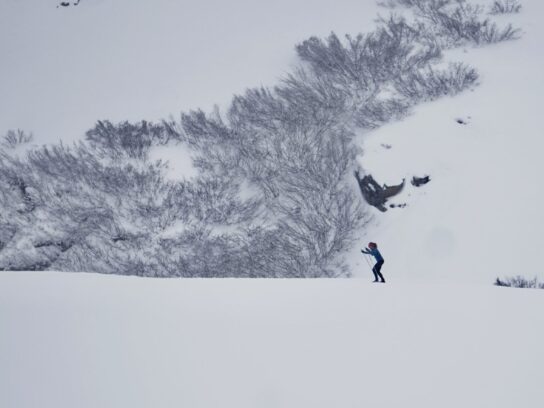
pixel 82 340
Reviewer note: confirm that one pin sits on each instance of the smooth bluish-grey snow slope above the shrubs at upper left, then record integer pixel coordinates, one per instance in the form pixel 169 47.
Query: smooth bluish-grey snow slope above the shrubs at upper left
pixel 65 68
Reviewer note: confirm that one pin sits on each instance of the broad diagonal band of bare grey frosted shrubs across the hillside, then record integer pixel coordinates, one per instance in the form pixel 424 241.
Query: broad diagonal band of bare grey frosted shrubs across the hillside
pixel 104 204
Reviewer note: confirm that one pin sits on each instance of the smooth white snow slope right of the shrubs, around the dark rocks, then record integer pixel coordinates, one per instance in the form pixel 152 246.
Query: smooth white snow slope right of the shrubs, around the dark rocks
pixel 481 215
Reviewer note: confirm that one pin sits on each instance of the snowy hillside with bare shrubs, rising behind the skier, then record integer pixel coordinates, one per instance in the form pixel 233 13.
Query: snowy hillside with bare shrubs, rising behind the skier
pixel 263 186
